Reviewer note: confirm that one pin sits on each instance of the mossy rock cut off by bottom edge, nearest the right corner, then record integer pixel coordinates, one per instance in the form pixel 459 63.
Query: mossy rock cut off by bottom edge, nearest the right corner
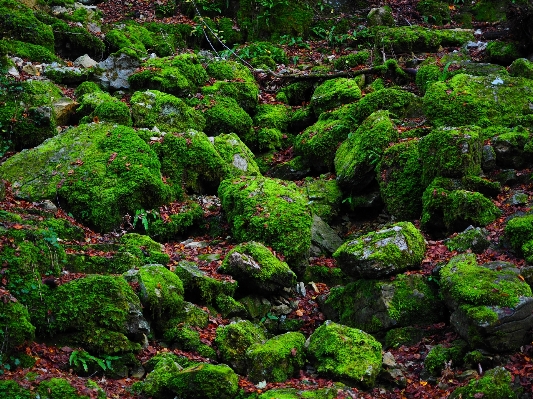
pixel 495 384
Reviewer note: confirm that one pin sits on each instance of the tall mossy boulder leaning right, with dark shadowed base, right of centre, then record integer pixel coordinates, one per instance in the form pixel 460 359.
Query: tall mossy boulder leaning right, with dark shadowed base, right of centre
pixel 356 157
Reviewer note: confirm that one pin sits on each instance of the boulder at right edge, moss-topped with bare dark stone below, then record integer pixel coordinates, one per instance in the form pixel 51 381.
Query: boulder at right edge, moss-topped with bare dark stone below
pixel 490 305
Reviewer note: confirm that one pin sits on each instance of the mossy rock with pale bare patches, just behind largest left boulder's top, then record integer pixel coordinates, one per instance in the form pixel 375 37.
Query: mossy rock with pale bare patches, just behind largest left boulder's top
pixel 169 113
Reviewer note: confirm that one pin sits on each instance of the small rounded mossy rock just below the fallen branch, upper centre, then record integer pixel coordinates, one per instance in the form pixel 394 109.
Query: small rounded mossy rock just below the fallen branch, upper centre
pixel 333 93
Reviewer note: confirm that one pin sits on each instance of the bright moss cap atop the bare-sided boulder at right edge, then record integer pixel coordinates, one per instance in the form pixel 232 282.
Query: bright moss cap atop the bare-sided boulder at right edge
pixel 466 282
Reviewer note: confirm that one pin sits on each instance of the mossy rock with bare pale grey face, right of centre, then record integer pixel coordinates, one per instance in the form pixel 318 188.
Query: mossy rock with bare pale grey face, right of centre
pixel 383 252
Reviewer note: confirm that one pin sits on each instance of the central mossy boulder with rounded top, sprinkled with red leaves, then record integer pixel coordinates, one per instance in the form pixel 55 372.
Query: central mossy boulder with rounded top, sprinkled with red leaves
pixel 269 211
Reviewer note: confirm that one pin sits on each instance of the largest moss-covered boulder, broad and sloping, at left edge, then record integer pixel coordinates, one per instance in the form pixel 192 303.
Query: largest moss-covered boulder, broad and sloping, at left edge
pixel 98 172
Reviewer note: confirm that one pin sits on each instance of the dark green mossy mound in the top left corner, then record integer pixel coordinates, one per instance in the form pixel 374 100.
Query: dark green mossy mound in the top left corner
pixel 18 22
